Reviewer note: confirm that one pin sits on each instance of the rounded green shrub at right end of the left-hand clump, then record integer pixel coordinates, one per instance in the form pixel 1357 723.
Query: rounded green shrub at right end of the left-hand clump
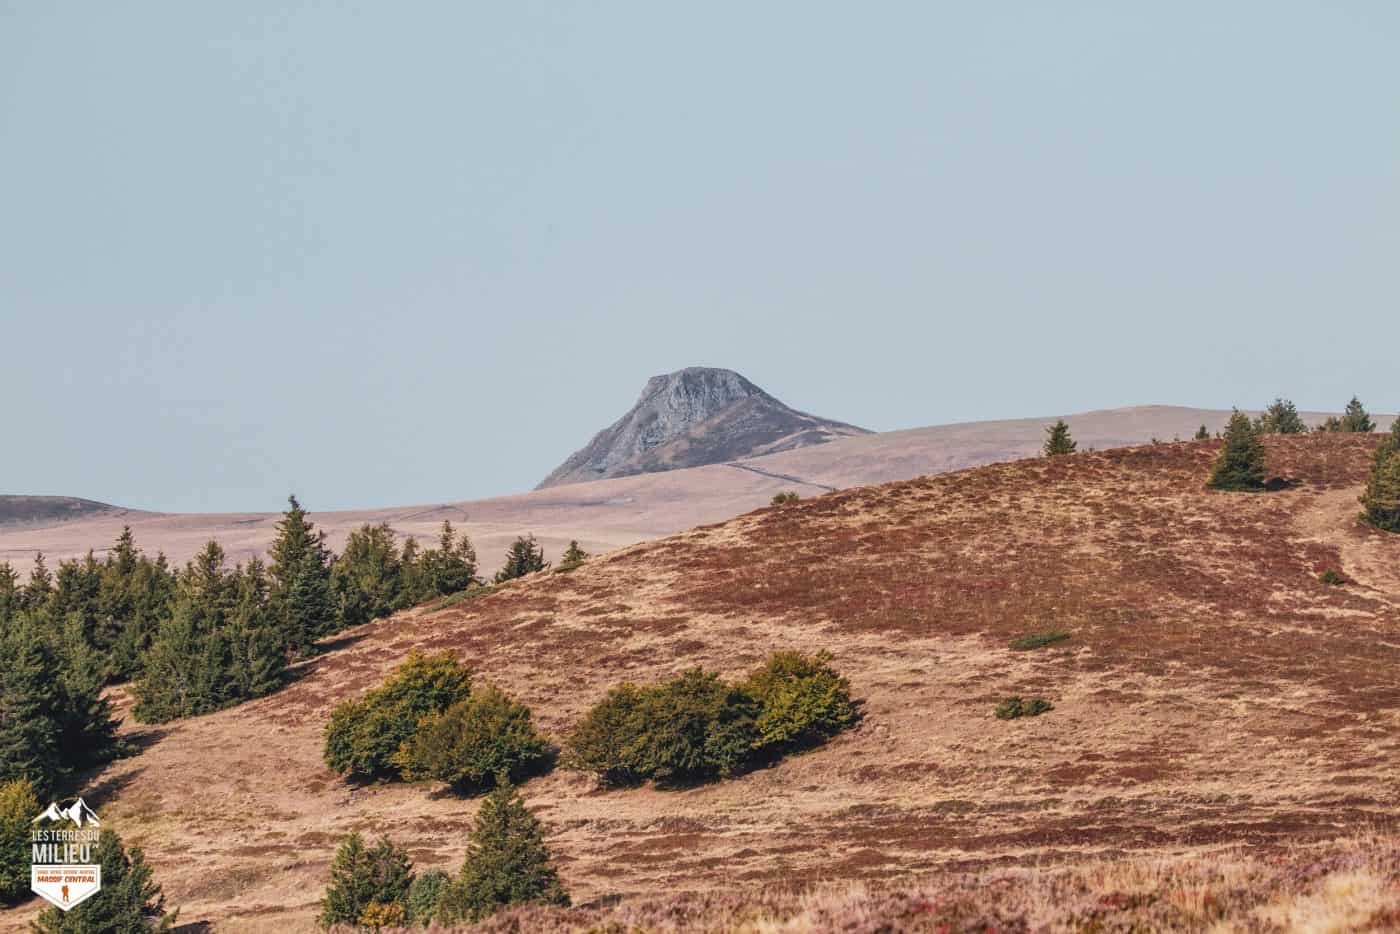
pixel 474 741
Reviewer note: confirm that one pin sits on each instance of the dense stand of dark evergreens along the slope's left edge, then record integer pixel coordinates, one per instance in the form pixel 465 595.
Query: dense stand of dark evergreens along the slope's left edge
pixel 195 639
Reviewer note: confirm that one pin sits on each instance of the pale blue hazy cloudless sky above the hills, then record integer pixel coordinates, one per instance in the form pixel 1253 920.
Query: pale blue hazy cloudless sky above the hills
pixel 414 253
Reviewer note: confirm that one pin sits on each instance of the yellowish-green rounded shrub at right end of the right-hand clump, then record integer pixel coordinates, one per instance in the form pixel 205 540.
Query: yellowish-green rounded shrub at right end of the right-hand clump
pixel 801 701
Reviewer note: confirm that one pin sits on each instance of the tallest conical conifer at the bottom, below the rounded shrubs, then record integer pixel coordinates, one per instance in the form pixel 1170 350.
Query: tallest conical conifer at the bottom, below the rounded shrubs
pixel 507 863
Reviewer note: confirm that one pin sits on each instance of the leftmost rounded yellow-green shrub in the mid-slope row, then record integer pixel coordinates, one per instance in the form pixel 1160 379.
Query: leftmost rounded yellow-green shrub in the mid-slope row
pixel 365 736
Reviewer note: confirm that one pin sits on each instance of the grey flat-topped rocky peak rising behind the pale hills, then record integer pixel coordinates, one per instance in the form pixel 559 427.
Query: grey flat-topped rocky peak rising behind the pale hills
pixel 694 418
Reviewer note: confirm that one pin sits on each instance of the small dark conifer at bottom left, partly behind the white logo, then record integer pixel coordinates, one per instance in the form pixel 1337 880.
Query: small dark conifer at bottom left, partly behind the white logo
pixel 128 902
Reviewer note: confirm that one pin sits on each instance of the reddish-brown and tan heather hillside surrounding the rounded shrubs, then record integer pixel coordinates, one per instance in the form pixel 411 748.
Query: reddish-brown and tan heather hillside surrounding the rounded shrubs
pixel 1213 694
